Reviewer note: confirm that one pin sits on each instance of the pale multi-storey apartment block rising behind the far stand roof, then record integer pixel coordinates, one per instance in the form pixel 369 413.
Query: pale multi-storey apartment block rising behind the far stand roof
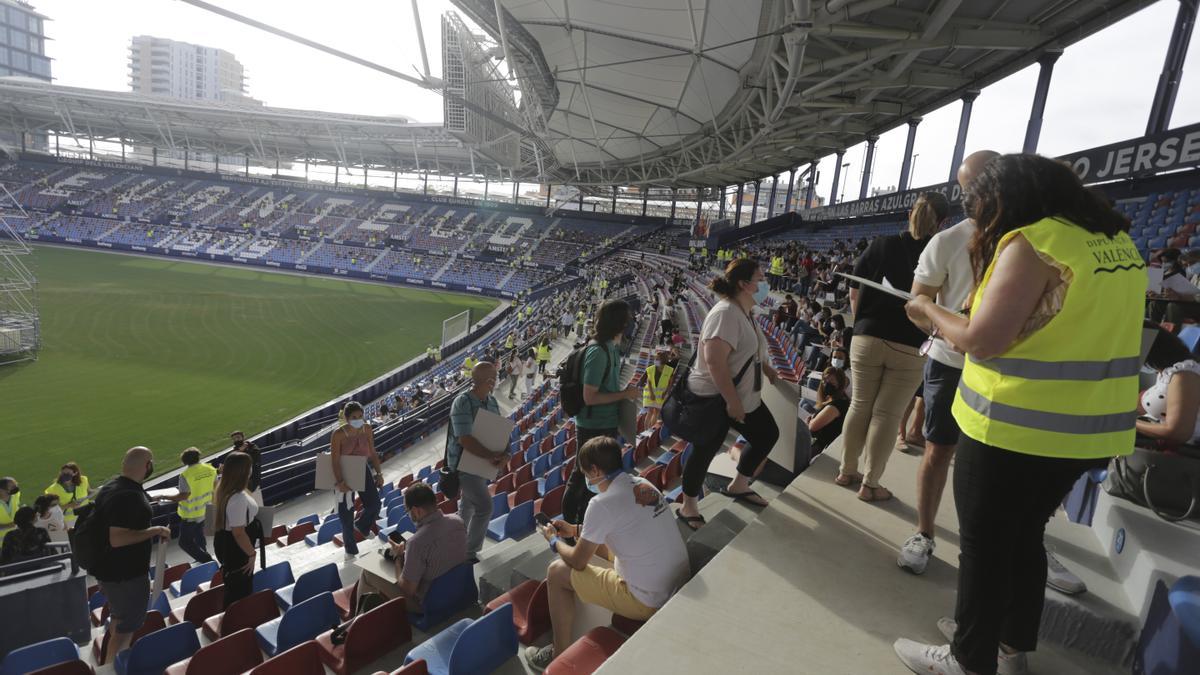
pixel 181 70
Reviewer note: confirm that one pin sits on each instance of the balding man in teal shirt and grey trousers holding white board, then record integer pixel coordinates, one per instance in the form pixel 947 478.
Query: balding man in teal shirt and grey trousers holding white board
pixel 475 503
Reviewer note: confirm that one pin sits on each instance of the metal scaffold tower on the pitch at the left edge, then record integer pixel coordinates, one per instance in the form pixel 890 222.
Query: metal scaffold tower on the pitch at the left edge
pixel 21 336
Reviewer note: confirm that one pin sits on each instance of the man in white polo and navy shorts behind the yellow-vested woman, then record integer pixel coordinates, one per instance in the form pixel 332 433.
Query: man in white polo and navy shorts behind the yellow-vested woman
pixel 945 274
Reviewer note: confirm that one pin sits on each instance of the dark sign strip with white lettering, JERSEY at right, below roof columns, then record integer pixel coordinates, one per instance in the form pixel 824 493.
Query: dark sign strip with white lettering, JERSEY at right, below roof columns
pixel 1175 150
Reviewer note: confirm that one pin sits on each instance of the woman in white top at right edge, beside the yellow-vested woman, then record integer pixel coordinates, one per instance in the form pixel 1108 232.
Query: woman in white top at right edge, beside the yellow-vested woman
pixel 1173 404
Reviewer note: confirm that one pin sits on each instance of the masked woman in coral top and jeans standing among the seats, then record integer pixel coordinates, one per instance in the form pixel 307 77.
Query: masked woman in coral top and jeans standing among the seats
pixel 355 438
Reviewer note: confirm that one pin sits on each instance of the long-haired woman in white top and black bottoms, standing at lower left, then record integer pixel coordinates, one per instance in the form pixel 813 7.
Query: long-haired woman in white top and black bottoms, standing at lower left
pixel 235 540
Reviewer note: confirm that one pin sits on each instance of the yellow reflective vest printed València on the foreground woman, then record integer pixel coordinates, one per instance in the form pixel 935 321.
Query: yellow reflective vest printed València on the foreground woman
pixel 1070 390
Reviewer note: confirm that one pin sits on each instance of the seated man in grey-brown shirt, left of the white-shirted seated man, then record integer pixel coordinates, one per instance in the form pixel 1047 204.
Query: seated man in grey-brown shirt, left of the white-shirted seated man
pixel 439 546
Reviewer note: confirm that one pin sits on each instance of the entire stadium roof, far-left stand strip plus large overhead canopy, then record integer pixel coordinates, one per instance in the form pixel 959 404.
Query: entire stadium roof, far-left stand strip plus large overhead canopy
pixel 664 93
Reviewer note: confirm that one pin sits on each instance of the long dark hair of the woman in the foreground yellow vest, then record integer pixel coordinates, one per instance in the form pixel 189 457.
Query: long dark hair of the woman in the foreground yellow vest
pixel 1017 190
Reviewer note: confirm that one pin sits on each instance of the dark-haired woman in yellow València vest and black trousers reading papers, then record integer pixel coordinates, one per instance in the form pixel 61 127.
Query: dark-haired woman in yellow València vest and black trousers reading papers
pixel 1048 392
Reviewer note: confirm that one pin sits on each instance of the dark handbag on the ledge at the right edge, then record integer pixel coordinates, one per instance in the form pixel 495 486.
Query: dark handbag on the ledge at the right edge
pixel 1166 483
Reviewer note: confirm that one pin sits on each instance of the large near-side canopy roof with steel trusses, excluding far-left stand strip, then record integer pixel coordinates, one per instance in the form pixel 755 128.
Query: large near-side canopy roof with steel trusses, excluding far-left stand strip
pixel 719 92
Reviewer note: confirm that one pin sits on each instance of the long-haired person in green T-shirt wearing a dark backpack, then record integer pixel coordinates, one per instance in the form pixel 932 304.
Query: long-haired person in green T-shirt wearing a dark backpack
pixel 603 393
